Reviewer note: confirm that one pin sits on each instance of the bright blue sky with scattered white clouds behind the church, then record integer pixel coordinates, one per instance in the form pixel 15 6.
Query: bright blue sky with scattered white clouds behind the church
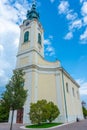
pixel 65 36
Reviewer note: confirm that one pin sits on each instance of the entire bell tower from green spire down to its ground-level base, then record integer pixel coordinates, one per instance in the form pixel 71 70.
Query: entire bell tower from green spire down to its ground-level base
pixel 31 49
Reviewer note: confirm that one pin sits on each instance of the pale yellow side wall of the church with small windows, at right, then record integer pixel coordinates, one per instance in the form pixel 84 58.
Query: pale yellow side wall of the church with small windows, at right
pixel 72 101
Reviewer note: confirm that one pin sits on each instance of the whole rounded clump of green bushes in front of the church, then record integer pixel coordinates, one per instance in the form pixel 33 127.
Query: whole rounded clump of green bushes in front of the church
pixel 43 111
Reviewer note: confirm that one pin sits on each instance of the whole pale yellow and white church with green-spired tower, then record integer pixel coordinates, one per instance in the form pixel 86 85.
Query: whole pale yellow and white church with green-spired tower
pixel 43 79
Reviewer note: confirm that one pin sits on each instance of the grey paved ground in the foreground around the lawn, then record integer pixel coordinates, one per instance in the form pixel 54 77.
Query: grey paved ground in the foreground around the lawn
pixel 82 125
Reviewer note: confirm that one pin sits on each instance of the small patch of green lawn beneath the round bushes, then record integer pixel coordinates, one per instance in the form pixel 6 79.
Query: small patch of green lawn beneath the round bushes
pixel 44 125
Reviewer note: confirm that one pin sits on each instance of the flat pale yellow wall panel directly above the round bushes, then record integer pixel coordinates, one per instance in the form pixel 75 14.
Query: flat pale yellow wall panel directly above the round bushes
pixel 47 87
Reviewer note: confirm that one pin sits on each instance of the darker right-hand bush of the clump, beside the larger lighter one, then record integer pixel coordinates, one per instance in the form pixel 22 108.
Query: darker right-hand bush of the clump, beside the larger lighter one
pixel 53 111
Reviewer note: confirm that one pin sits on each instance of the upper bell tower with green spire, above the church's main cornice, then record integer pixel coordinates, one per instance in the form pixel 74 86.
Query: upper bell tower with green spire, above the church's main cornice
pixel 31 39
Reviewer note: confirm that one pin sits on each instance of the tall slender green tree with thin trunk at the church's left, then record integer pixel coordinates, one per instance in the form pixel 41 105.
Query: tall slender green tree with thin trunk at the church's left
pixel 15 95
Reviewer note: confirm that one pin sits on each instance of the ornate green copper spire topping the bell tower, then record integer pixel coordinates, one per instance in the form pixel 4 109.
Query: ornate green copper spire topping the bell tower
pixel 33 14
